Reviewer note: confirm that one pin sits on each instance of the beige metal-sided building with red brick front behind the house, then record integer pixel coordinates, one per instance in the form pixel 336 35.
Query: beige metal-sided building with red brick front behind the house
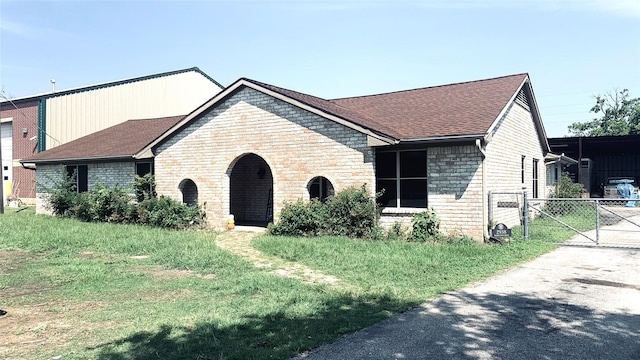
pixel 33 124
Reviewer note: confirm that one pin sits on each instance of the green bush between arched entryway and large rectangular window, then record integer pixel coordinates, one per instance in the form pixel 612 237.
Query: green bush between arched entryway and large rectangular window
pixel 350 212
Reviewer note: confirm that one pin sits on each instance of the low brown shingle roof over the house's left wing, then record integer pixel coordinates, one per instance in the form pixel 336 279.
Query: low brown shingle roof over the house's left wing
pixel 119 141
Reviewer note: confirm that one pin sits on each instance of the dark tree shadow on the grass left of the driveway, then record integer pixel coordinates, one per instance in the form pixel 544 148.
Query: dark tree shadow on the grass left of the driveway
pixel 274 336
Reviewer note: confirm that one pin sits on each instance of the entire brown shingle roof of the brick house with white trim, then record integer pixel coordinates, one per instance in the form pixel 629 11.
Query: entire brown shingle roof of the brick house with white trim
pixel 465 110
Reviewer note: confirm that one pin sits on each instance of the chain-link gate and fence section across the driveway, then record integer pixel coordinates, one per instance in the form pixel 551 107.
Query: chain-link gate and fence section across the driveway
pixel 613 222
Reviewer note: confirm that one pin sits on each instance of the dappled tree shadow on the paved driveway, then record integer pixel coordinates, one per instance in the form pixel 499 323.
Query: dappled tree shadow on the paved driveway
pixel 514 326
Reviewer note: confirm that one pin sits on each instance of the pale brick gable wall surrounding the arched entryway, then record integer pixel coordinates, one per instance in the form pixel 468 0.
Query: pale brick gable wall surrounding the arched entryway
pixel 295 144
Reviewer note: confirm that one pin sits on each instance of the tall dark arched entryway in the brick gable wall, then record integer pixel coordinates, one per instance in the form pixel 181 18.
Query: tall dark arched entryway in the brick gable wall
pixel 251 191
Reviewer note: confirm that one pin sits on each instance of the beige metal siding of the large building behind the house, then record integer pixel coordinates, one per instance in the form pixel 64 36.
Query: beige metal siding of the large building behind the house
pixel 75 115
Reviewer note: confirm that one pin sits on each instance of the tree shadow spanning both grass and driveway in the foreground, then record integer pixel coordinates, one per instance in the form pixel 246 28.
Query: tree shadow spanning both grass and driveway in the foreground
pixel 456 326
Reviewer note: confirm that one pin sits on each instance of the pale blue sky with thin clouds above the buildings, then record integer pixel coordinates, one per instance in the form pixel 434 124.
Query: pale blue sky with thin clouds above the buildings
pixel 572 49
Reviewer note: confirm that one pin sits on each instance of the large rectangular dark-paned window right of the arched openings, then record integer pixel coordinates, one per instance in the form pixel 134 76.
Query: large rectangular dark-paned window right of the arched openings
pixel 401 176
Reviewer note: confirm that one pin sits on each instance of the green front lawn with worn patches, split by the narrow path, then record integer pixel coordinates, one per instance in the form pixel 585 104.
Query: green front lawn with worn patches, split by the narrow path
pixel 102 291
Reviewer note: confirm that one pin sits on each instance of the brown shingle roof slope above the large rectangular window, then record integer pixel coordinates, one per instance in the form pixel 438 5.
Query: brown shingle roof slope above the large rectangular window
pixel 468 108
